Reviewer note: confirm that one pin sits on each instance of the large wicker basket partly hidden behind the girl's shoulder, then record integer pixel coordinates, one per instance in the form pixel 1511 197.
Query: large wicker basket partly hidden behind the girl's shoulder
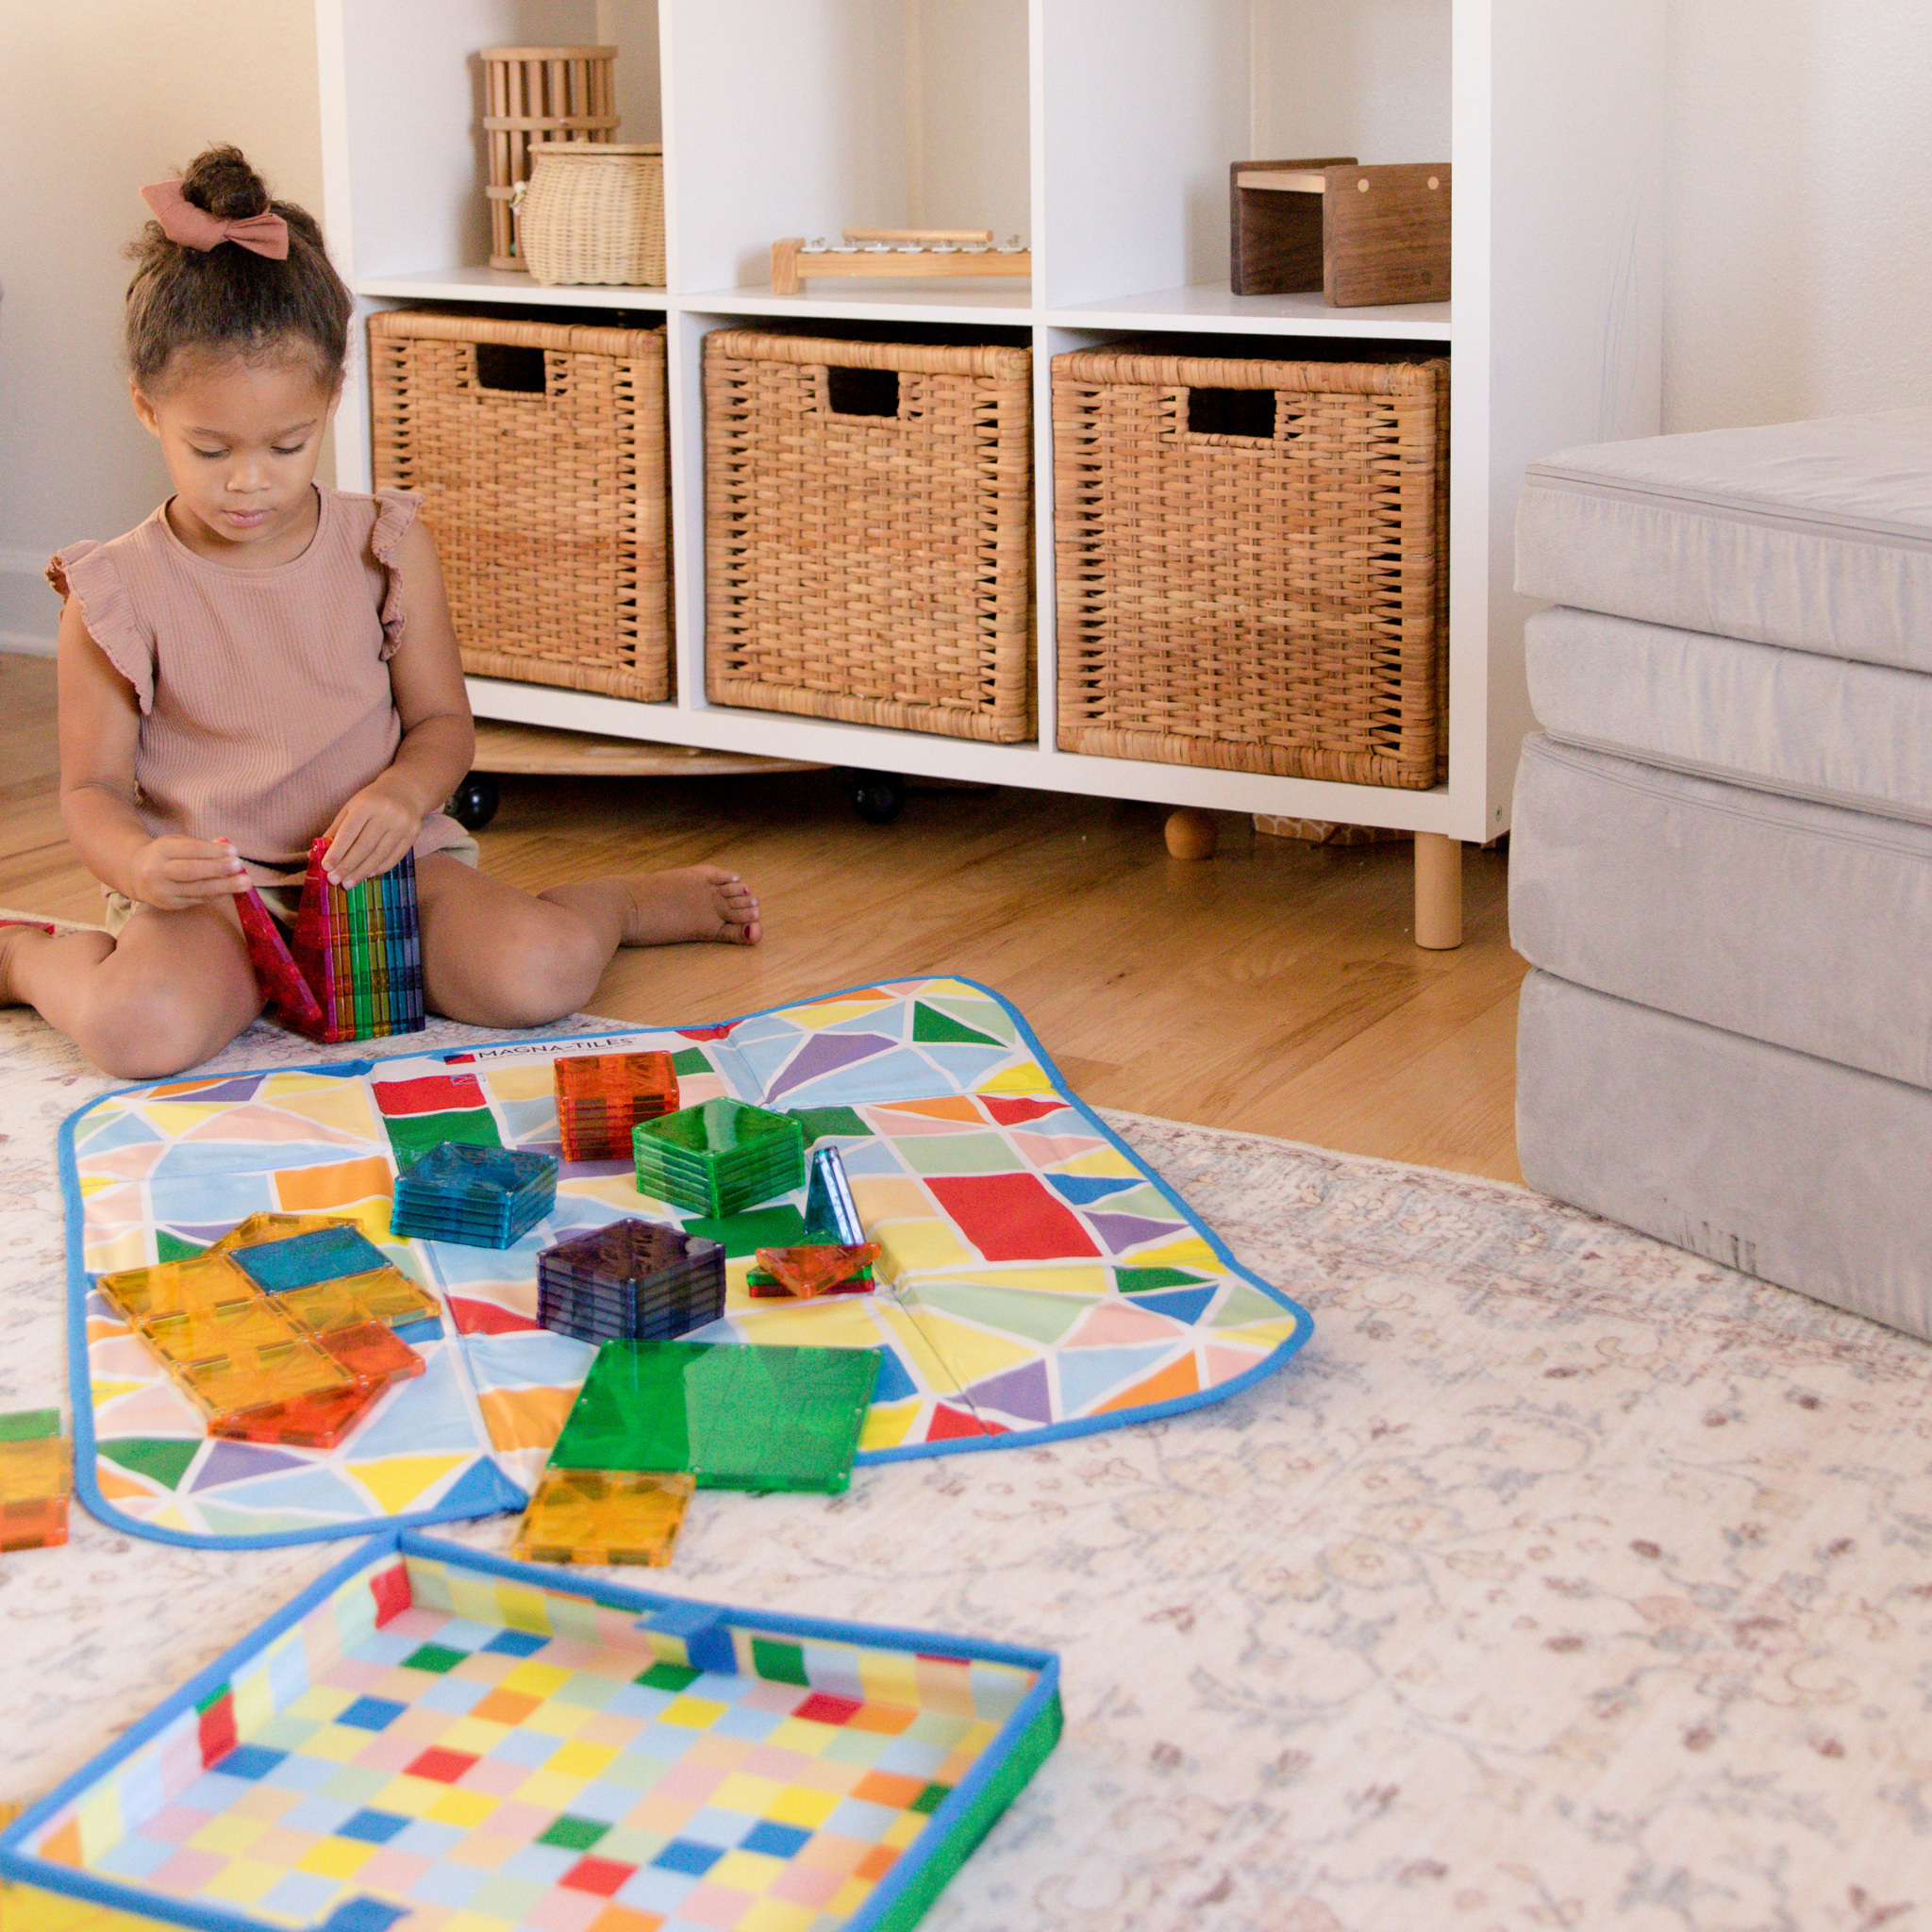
pixel 540 455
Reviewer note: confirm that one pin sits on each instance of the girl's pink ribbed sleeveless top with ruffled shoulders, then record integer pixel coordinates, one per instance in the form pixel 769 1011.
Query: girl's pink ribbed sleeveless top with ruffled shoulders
pixel 264 695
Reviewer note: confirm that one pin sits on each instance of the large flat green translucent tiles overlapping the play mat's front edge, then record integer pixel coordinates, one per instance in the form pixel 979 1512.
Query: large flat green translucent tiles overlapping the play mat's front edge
pixel 735 1415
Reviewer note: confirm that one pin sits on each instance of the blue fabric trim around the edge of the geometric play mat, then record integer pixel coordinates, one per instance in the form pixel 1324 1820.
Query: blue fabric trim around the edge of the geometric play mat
pixel 84 1436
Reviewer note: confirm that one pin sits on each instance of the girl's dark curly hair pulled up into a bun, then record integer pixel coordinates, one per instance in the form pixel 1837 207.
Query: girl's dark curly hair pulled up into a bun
pixel 231 300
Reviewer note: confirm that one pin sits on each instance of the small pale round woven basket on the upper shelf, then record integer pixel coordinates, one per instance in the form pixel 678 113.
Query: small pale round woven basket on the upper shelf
pixel 594 213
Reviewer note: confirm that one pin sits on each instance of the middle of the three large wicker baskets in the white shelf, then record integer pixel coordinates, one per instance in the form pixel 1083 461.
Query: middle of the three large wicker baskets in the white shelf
pixel 868 515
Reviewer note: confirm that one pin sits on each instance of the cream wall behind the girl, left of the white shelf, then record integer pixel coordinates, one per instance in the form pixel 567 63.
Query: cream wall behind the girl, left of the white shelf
pixel 99 98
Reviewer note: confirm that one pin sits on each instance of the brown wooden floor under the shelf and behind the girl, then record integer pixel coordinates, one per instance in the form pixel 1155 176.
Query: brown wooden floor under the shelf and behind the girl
pixel 1272 988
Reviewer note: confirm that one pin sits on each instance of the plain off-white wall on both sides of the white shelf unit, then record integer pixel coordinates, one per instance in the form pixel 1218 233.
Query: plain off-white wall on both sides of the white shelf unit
pixel 1800 225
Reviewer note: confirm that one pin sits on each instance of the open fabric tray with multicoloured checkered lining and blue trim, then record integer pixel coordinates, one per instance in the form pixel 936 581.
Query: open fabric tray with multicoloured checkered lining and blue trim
pixel 459 1744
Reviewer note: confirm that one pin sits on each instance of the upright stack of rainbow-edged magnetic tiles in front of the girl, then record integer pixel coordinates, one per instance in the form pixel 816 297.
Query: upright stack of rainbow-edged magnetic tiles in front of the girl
pixel 360 952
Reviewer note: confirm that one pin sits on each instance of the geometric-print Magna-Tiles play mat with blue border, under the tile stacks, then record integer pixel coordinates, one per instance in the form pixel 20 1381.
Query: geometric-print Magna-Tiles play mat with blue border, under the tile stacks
pixel 1037 1278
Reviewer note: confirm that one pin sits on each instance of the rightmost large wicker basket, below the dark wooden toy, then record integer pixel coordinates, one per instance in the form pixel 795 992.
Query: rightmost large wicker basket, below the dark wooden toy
pixel 1253 582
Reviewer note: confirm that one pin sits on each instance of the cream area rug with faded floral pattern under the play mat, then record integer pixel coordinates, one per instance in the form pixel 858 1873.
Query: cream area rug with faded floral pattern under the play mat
pixel 1562 1581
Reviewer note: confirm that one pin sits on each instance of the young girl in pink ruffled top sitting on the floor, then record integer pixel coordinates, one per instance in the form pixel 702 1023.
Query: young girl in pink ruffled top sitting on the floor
pixel 266 662
